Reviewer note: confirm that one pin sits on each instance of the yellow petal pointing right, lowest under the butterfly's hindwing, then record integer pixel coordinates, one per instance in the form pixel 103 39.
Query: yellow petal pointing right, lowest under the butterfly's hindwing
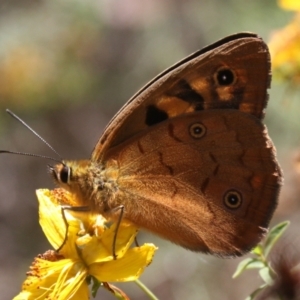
pixel 128 268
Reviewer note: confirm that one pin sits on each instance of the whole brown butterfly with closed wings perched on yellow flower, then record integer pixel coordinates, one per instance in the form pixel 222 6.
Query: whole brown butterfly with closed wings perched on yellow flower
pixel 188 156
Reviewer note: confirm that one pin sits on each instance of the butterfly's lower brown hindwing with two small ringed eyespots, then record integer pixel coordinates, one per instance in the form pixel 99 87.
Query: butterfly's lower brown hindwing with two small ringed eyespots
pixel 207 181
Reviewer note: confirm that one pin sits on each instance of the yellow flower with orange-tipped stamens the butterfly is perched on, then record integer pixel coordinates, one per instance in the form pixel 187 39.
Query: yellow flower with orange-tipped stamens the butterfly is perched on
pixel 67 273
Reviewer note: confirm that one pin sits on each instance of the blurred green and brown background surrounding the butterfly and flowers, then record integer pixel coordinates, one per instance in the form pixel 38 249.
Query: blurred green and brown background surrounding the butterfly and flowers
pixel 66 67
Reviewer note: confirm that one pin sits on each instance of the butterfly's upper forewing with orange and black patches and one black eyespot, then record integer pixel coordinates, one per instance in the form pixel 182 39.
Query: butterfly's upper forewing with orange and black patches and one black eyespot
pixel 233 73
